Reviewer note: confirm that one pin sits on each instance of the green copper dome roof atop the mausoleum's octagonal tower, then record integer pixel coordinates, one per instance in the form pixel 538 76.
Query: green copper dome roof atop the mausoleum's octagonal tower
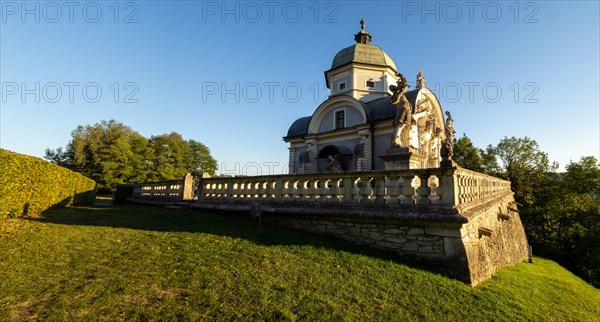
pixel 362 53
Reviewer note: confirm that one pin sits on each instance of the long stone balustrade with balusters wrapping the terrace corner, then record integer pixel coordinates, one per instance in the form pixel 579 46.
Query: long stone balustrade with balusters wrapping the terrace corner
pixel 434 186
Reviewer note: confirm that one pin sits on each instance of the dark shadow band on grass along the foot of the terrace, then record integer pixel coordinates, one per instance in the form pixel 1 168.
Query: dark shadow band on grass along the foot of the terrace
pixel 155 218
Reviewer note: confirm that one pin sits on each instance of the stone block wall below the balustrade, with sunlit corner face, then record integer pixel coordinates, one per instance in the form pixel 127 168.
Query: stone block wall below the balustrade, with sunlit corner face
pixel 492 238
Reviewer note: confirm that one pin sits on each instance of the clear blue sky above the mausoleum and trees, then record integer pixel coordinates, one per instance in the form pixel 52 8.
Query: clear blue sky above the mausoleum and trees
pixel 234 75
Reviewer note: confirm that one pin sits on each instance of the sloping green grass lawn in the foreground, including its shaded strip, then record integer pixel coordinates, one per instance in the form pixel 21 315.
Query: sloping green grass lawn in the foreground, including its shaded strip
pixel 149 263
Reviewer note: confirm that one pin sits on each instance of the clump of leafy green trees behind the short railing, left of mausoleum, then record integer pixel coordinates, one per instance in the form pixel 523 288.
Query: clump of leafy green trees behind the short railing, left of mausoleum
pixel 112 153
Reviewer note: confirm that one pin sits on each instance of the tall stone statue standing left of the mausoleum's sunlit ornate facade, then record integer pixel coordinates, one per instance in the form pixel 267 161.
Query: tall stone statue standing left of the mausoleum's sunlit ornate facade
pixel 403 120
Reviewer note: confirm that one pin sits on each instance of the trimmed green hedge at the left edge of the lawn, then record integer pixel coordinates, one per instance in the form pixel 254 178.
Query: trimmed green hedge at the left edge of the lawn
pixel 29 185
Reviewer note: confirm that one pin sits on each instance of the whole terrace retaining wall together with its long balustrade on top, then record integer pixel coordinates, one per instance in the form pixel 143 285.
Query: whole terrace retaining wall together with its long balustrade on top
pixel 463 220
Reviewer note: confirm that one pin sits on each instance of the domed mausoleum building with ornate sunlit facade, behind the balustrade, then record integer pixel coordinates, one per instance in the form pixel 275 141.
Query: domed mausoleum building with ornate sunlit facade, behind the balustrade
pixel 354 130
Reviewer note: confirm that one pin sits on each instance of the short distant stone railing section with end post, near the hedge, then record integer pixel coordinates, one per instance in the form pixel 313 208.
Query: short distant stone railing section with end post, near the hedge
pixel 165 190
